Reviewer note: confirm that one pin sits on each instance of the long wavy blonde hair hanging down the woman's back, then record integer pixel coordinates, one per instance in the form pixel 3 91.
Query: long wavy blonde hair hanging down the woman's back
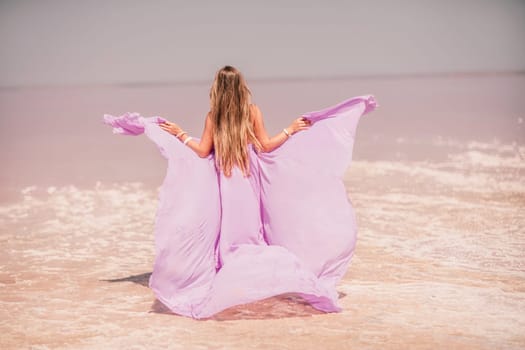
pixel 232 126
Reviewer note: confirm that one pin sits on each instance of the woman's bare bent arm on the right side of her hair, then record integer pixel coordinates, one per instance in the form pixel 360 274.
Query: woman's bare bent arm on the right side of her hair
pixel 270 143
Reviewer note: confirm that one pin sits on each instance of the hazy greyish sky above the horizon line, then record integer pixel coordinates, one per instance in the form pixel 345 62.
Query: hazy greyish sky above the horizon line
pixel 63 42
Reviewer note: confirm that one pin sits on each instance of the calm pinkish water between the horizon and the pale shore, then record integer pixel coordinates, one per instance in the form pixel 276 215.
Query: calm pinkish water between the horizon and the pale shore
pixel 54 136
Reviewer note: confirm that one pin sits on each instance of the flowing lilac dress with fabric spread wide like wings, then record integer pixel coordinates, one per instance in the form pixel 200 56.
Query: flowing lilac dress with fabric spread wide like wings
pixel 287 228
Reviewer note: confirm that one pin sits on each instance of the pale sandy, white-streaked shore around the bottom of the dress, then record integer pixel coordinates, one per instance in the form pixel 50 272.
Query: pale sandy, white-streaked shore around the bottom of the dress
pixel 439 263
